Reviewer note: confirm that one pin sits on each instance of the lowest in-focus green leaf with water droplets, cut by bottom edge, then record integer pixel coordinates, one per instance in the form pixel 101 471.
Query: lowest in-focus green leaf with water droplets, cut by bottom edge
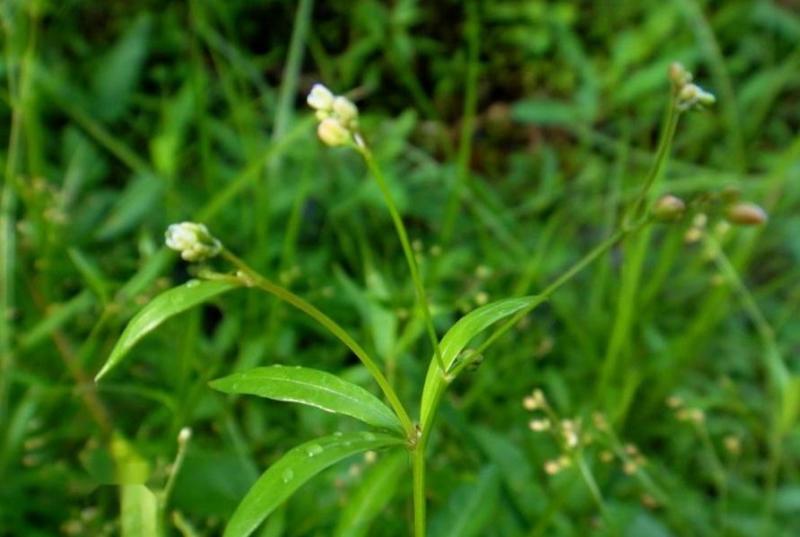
pixel 292 470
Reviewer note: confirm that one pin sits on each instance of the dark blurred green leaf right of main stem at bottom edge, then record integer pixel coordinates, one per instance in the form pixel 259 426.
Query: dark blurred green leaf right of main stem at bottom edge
pixel 469 508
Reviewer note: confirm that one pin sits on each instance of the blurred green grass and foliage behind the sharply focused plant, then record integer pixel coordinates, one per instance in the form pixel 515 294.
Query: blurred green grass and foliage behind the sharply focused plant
pixel 512 133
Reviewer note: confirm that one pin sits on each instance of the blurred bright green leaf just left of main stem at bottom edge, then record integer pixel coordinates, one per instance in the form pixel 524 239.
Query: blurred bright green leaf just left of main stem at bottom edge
pixel 372 496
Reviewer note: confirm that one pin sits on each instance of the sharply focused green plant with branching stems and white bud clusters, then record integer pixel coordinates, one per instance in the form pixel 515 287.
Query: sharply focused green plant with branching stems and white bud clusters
pixel 392 426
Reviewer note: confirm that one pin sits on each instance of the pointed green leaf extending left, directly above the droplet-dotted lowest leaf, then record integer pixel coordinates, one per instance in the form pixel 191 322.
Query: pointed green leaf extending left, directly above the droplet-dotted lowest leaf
pixel 311 387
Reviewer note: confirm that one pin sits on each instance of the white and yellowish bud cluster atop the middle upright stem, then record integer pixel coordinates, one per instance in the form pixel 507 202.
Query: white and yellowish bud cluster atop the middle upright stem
pixel 337 115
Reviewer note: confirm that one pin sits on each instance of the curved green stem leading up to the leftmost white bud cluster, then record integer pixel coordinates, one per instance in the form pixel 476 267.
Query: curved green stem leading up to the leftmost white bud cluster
pixel 251 277
